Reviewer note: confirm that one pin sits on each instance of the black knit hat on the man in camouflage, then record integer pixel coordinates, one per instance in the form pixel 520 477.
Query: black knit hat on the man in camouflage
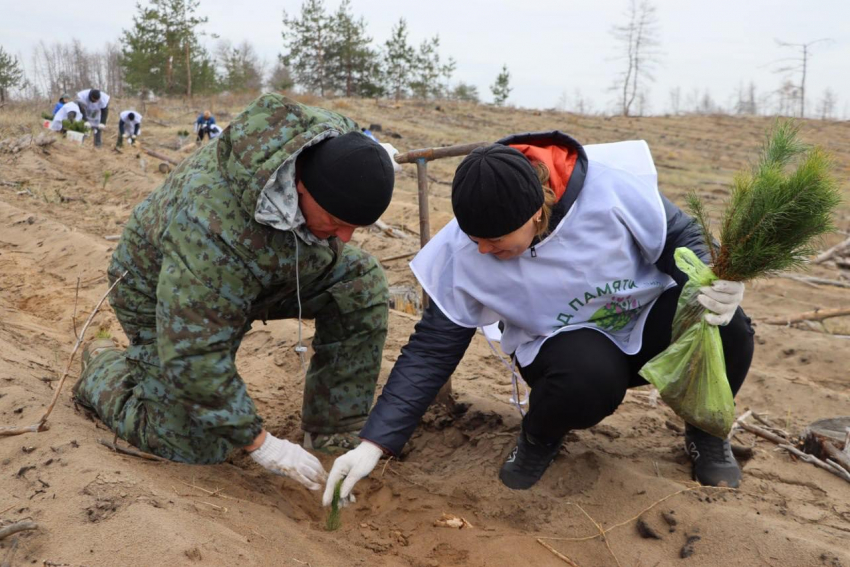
pixel 350 176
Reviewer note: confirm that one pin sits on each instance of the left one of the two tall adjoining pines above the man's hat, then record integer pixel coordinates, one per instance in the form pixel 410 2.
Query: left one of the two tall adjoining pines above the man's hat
pixel 309 41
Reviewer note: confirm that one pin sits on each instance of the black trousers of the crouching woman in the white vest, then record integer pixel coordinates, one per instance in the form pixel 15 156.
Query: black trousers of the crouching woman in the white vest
pixel 581 377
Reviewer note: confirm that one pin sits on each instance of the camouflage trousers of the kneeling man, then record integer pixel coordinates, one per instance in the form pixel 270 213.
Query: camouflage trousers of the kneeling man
pixel 349 305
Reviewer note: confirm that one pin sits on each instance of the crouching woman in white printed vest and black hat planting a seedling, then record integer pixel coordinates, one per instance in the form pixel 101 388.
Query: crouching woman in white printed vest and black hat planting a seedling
pixel 570 250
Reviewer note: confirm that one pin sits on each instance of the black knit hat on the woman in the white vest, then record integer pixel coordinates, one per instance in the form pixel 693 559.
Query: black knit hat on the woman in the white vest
pixel 495 191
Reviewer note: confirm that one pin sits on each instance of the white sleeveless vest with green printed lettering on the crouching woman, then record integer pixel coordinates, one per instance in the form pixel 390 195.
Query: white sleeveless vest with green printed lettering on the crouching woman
pixel 596 270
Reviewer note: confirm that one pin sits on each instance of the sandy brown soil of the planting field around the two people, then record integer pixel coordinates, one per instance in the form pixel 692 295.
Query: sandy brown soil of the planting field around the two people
pixel 95 507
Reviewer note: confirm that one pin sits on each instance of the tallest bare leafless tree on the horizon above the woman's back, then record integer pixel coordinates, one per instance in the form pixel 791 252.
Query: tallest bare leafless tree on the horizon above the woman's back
pixel 639 40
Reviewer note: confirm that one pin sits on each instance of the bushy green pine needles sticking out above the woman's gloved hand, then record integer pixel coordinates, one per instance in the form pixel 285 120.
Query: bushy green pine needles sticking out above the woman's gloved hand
pixel 777 211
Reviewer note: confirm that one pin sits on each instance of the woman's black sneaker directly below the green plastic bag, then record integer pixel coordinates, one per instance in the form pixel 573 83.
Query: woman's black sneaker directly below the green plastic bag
pixel 714 464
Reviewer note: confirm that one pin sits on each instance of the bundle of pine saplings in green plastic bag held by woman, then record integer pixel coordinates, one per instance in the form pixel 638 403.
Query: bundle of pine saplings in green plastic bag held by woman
pixel 772 222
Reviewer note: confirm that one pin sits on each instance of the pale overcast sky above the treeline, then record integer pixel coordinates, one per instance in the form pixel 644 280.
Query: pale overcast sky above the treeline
pixel 551 47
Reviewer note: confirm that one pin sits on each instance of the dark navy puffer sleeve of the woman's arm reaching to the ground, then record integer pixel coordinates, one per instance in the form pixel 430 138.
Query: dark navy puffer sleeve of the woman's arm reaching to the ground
pixel 428 360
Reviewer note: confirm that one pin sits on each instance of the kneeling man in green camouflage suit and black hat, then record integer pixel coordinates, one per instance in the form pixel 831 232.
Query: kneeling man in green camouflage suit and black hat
pixel 241 232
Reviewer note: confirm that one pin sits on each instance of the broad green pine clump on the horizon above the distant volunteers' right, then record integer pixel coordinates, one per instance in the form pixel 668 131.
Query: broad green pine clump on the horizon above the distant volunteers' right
pixel 161 52
